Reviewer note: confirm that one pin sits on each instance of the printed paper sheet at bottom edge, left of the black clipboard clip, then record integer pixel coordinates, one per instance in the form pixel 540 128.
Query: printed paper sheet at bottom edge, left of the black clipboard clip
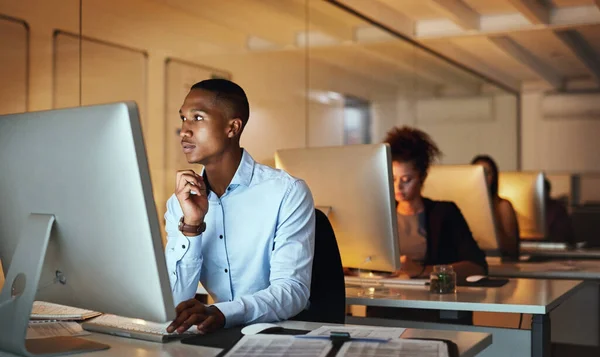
pixel 279 345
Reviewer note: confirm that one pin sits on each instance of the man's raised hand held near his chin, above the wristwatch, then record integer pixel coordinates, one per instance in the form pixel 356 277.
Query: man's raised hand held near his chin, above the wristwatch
pixel 192 196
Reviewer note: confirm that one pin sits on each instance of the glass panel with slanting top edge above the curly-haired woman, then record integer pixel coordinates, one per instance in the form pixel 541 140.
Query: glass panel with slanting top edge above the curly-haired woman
pixel 405 85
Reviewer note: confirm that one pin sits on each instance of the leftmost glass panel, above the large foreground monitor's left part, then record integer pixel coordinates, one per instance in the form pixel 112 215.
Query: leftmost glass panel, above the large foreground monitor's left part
pixel 26 45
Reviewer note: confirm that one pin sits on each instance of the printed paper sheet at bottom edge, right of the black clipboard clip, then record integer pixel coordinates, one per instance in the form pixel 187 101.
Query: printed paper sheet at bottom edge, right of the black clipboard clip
pixel 396 347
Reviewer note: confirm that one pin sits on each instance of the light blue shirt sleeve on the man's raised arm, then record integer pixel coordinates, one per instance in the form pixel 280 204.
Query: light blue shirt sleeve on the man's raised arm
pixel 183 255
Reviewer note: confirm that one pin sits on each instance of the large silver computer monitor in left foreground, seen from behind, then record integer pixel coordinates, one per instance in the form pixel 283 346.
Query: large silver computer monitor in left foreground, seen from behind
pixel 77 218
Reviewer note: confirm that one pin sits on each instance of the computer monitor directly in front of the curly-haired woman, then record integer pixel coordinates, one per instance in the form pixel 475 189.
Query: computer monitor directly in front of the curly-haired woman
pixel 356 183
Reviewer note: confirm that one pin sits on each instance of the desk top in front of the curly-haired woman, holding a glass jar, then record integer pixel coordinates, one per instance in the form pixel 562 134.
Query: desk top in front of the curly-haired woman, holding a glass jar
pixel 517 296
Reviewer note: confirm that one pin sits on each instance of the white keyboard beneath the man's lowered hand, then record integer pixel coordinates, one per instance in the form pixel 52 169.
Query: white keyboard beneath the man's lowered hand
pixel 134 328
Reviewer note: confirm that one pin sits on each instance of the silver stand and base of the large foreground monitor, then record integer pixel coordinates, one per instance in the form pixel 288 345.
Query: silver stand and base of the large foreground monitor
pixel 19 291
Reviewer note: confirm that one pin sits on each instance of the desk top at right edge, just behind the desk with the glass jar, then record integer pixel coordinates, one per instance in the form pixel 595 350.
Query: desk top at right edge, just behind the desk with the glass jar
pixel 564 269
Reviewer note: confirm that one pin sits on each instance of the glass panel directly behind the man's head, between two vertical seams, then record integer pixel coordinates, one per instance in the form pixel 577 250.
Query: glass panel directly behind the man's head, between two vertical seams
pixel 188 41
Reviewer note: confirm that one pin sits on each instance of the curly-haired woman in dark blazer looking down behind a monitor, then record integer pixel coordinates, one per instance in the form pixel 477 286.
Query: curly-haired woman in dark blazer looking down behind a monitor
pixel 430 232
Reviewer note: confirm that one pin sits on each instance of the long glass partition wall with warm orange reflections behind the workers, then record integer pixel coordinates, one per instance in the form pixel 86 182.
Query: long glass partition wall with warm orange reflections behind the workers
pixel 315 74
